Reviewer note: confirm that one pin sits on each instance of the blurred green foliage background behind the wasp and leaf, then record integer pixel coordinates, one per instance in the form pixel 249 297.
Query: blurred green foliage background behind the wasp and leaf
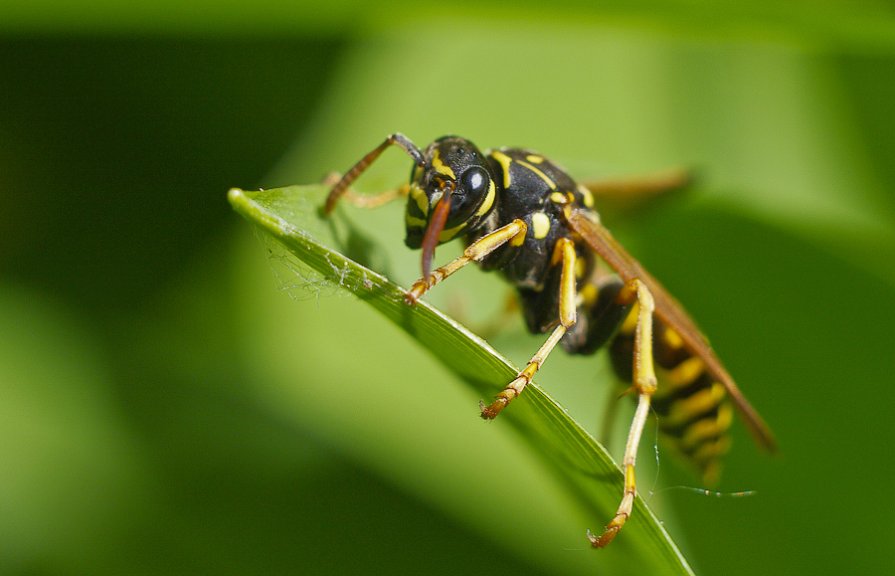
pixel 175 398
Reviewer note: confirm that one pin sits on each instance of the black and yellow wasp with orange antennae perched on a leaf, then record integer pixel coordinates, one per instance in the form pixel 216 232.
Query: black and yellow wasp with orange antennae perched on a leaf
pixel 523 216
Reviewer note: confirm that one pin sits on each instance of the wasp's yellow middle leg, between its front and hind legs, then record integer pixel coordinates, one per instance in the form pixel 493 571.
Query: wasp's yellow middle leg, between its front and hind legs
pixel 564 255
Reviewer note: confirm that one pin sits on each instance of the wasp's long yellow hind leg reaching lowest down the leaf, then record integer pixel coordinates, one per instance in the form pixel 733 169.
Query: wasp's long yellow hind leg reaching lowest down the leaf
pixel 644 381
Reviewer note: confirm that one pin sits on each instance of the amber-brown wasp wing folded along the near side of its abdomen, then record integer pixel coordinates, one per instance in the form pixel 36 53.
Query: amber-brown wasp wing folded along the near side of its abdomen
pixel 669 311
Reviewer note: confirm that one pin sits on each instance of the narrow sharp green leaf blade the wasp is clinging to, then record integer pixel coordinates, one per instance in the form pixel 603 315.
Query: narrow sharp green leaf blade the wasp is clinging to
pixel 579 465
